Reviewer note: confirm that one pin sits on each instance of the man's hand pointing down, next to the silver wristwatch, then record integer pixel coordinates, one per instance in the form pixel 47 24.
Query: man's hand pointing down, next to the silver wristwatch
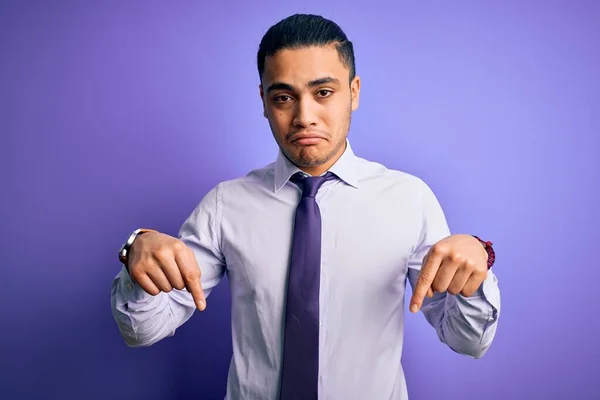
pixel 161 263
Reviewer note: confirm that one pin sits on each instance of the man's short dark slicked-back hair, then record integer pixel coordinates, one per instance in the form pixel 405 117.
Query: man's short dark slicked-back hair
pixel 303 30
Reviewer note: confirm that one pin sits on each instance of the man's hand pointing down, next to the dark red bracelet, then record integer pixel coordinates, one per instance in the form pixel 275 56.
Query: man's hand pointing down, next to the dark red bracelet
pixel 457 264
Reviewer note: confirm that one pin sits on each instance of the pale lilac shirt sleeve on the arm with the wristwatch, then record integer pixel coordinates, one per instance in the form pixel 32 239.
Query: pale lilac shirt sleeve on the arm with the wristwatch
pixel 144 319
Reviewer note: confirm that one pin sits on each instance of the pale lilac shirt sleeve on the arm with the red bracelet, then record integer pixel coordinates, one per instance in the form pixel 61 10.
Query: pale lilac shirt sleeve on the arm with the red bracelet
pixel 466 324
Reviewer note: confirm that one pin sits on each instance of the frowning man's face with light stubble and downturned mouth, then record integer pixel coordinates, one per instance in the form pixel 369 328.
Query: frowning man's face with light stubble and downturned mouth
pixel 308 100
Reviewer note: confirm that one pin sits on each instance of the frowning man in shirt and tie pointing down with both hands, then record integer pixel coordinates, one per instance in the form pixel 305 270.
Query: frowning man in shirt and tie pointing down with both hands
pixel 318 247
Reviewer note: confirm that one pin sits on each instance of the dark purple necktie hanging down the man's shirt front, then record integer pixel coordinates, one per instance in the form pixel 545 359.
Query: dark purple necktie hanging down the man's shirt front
pixel 299 380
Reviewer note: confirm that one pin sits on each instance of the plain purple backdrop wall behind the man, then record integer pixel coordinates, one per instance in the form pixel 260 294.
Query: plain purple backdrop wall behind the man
pixel 116 115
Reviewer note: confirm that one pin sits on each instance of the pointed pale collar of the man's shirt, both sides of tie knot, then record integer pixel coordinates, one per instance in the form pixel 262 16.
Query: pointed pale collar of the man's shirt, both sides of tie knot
pixel 346 168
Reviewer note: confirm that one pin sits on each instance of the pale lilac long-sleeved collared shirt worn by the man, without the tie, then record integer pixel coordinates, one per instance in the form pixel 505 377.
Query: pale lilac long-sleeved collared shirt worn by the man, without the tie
pixel 377 225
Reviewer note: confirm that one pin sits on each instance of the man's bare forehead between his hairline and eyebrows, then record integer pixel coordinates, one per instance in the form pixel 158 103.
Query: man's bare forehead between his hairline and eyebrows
pixel 298 66
